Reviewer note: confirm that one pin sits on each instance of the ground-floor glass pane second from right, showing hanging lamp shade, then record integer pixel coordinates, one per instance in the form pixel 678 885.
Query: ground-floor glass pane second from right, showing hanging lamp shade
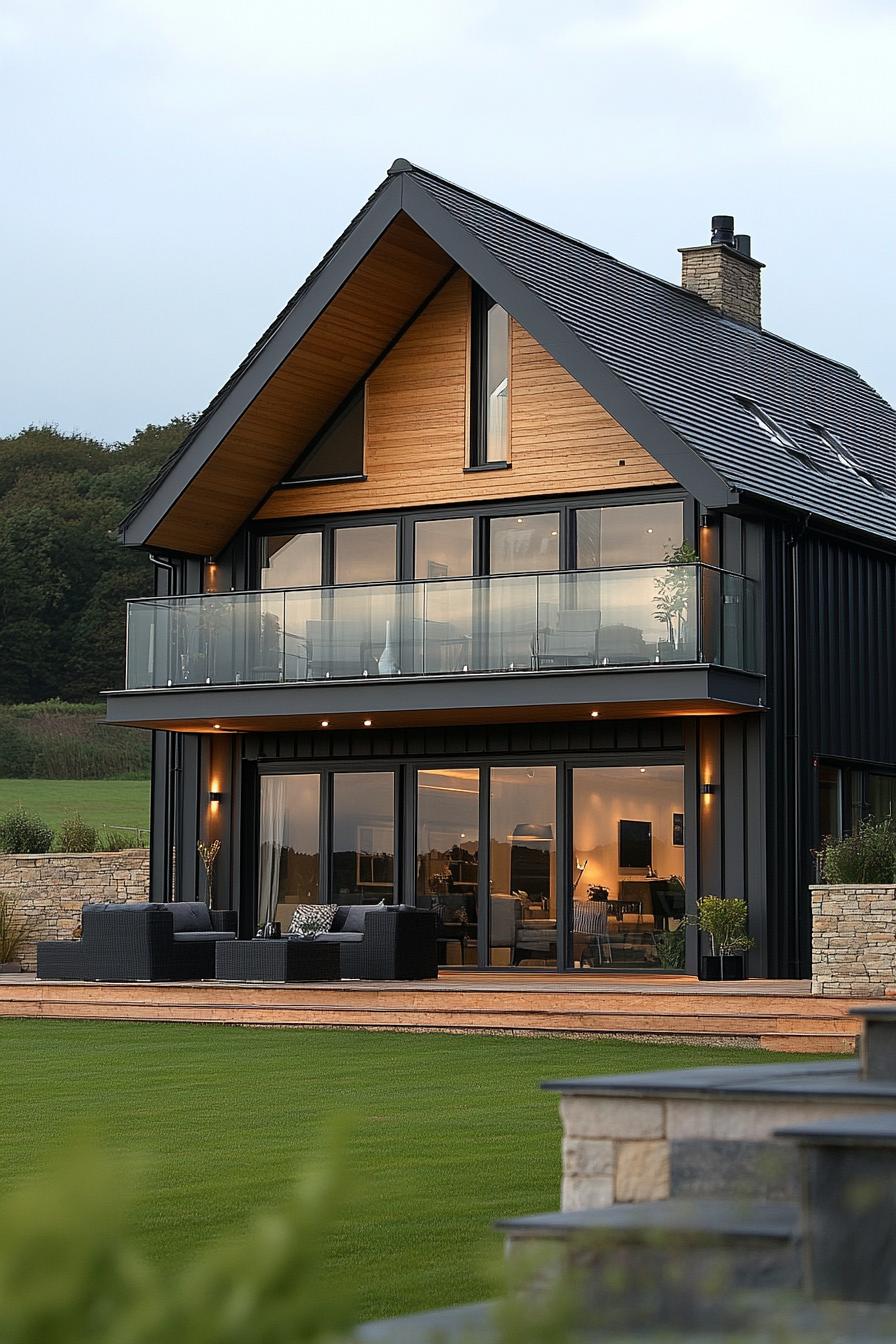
pixel 523 866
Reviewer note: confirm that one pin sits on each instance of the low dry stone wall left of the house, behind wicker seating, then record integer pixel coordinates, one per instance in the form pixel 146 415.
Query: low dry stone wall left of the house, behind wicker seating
pixel 53 888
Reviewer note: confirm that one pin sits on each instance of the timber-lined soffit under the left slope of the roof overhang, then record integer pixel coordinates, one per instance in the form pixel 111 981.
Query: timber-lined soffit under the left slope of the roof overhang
pixel 377 302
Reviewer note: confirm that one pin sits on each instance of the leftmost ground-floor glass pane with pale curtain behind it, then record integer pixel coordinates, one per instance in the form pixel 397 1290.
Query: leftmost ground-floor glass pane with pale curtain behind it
pixel 289 846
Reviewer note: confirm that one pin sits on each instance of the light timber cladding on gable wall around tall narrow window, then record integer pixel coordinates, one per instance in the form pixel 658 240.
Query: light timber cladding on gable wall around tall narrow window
pixel 417 428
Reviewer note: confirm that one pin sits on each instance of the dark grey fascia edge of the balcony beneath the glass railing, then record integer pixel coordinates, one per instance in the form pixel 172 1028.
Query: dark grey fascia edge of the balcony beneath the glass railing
pixel 576 690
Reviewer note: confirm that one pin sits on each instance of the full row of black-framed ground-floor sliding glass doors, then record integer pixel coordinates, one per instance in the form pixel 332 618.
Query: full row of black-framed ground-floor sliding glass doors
pixel 525 866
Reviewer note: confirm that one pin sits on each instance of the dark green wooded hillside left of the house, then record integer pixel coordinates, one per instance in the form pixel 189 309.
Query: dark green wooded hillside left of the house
pixel 64 575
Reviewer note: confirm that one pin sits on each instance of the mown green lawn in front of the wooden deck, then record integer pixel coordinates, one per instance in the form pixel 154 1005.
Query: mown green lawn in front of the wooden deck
pixel 447 1134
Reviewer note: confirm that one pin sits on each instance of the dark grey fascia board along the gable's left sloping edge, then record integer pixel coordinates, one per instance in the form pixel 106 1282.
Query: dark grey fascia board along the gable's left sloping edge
pixel 265 365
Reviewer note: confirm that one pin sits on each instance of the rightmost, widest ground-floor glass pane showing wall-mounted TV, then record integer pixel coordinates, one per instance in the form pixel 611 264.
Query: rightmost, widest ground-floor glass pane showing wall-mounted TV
pixel 628 865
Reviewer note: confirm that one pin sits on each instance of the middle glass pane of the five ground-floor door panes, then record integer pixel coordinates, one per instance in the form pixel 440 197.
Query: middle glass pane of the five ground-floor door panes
pixel 448 858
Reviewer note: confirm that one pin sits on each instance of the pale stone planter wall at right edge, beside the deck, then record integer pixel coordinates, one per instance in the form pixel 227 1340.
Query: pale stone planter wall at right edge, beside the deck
pixel 854 940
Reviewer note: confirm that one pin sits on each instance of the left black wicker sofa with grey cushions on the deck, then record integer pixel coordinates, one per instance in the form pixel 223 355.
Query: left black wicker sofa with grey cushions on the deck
pixel 140 941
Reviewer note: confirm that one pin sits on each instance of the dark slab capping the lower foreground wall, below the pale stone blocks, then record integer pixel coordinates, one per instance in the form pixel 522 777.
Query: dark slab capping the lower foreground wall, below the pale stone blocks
pixel 699 1220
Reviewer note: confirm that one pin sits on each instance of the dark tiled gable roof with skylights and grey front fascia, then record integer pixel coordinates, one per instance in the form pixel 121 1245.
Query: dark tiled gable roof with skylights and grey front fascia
pixel 664 364
